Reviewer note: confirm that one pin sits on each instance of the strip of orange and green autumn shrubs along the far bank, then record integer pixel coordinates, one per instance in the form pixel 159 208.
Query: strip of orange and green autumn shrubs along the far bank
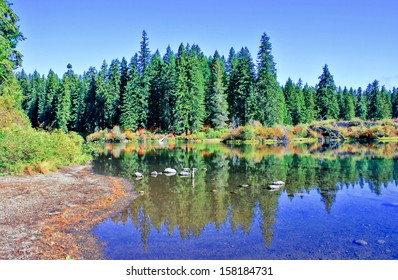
pixel 255 132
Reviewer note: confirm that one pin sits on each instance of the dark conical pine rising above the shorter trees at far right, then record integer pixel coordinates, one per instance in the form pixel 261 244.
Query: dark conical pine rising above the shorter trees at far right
pixel 327 106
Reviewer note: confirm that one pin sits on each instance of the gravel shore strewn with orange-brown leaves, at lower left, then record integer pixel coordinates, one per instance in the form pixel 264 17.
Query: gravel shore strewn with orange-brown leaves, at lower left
pixel 51 217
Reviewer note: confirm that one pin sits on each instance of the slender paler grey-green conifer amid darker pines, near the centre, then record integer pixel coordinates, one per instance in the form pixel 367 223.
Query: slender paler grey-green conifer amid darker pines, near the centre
pixel 217 105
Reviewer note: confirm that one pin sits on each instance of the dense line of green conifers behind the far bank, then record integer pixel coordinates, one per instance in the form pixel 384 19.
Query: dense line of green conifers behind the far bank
pixel 186 90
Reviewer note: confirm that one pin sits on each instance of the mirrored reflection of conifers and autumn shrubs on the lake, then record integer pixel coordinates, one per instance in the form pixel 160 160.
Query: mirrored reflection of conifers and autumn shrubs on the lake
pixel 190 206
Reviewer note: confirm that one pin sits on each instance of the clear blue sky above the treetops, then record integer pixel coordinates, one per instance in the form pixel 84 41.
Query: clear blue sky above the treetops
pixel 358 39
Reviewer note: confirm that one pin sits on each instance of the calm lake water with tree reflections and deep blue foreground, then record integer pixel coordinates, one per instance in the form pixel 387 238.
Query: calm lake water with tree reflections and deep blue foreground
pixel 332 198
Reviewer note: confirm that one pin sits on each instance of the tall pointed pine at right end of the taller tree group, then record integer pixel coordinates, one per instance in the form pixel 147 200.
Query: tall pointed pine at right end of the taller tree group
pixel 270 105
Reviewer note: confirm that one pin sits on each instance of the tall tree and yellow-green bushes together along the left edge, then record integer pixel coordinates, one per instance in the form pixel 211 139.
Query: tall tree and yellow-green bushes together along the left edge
pixel 24 149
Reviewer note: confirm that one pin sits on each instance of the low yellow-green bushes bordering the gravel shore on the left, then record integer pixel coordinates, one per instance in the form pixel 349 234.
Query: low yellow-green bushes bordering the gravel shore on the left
pixel 24 149
